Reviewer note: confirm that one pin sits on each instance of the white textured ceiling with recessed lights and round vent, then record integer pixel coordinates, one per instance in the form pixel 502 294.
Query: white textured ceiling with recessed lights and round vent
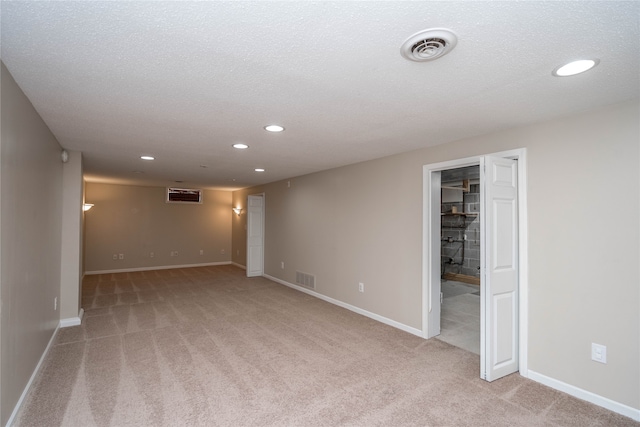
pixel 183 81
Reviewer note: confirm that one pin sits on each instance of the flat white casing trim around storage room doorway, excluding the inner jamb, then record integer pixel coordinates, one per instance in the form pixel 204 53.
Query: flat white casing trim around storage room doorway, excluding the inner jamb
pixel 521 155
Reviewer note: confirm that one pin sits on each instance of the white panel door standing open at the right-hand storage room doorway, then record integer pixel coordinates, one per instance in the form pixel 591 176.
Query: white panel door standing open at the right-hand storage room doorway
pixel 499 302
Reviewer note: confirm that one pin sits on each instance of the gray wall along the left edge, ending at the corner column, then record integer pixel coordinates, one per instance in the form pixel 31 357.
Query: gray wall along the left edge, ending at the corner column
pixel 31 218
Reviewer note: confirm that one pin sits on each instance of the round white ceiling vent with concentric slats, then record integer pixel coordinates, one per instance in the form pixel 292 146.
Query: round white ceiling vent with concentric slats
pixel 428 45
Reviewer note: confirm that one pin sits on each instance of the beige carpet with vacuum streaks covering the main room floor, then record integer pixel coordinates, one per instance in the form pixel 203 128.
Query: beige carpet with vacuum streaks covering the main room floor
pixel 209 347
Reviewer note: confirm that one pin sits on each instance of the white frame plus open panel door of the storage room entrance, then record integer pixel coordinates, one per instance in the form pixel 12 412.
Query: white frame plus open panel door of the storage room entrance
pixel 504 312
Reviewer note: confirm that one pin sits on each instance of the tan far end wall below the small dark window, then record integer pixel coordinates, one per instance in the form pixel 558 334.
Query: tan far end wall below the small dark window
pixel 136 221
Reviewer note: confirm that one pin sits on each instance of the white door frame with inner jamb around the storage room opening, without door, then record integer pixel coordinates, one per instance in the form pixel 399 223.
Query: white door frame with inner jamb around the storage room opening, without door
pixel 431 246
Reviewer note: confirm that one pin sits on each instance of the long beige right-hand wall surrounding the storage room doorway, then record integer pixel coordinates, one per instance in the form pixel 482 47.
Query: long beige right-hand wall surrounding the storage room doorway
pixel 363 223
